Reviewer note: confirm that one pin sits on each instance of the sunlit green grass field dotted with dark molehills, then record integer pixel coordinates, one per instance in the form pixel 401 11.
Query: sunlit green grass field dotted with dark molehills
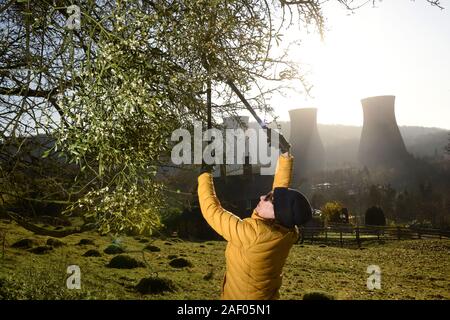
pixel 410 269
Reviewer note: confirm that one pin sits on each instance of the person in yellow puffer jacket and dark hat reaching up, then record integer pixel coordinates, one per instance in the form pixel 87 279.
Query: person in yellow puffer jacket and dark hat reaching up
pixel 258 246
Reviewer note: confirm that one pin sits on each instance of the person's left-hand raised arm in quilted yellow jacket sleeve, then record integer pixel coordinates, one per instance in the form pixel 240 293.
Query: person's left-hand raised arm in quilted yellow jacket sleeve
pixel 232 228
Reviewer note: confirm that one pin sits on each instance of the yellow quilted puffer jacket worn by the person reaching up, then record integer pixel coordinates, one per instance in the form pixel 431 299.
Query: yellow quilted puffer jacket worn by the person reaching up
pixel 257 248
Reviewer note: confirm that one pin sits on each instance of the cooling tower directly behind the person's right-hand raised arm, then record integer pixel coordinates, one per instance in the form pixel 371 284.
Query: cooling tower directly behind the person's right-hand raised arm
pixel 307 147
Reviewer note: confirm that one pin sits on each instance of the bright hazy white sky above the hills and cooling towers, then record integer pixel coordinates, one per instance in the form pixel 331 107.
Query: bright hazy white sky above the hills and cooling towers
pixel 400 48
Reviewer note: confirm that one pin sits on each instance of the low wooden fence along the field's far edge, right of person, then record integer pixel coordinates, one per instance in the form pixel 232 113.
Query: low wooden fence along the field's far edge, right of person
pixel 348 234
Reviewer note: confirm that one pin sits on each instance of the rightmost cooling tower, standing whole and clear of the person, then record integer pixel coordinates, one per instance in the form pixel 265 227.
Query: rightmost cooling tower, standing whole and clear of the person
pixel 381 143
